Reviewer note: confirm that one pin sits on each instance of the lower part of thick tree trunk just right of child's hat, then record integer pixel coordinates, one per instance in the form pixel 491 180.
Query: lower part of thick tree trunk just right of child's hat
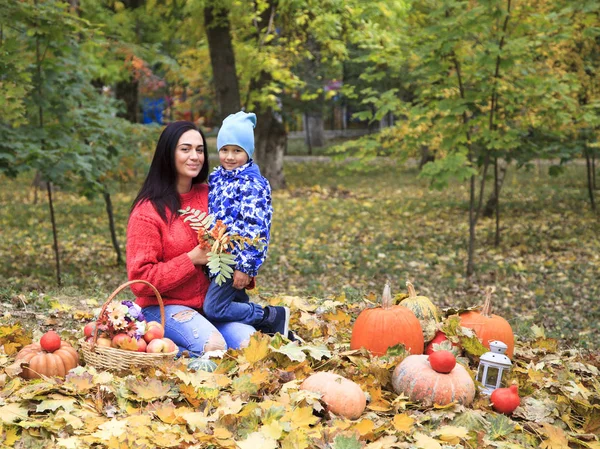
pixel 271 140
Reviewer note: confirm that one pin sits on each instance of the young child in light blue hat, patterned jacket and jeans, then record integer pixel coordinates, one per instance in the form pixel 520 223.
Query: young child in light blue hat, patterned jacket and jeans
pixel 241 197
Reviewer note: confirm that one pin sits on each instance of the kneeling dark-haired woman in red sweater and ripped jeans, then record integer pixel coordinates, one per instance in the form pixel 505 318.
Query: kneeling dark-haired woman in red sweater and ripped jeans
pixel 164 251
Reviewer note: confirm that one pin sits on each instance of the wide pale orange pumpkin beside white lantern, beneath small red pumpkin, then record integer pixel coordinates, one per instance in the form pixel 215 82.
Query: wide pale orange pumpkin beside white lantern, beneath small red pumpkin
pixel 416 379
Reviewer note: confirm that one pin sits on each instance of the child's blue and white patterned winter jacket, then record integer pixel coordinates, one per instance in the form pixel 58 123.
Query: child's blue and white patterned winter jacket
pixel 242 199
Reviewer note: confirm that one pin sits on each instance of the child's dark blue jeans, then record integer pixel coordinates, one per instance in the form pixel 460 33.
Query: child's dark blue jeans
pixel 224 303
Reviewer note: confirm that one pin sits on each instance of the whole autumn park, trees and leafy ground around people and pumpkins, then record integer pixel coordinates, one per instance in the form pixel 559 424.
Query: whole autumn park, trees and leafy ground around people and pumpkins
pixel 450 143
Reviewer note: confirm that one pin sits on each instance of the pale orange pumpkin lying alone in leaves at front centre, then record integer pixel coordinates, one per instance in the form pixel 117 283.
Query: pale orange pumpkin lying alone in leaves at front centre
pixel 342 396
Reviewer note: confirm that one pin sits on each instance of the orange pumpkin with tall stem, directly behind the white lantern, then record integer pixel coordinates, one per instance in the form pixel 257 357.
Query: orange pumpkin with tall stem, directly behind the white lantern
pixel 489 327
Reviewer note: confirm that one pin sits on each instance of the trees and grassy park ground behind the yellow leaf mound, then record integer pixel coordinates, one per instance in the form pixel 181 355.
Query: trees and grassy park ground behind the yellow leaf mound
pixel 474 93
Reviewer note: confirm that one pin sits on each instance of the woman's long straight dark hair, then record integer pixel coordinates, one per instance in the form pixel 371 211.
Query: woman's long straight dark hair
pixel 160 186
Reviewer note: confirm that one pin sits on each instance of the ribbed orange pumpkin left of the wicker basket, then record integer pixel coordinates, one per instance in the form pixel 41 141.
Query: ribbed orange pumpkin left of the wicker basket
pixel 57 363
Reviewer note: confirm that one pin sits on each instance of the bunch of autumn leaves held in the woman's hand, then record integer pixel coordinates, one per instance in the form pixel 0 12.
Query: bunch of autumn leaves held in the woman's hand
pixel 213 237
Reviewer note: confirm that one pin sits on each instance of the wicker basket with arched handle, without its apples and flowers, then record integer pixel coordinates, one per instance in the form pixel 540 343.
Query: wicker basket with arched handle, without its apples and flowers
pixel 113 359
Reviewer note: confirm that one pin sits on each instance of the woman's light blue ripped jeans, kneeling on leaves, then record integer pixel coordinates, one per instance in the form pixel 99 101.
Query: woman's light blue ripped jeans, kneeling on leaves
pixel 190 330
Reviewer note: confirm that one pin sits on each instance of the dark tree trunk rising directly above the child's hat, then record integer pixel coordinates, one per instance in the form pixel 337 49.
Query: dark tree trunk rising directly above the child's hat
pixel 222 59
